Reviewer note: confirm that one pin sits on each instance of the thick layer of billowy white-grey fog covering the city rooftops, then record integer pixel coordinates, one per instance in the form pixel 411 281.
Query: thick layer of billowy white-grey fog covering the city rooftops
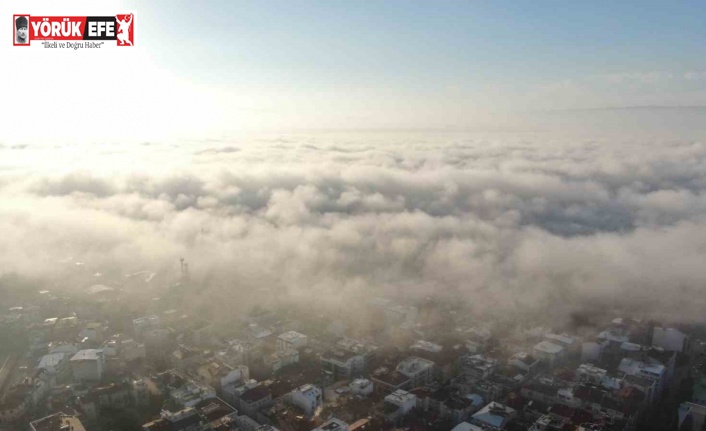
pixel 511 226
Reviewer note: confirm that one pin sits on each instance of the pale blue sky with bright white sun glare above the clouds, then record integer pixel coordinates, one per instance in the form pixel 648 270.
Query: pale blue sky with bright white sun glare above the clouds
pixel 393 64
